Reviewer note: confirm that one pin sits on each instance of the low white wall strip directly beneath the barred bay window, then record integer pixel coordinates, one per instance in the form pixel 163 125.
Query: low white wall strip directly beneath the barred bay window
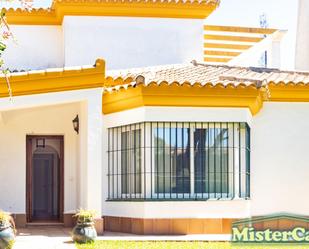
pixel 179 209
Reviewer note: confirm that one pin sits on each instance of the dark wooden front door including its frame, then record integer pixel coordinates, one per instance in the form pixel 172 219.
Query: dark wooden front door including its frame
pixel 44 190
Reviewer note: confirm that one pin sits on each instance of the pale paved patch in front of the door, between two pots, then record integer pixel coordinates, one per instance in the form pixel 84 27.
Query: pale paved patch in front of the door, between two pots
pixel 44 238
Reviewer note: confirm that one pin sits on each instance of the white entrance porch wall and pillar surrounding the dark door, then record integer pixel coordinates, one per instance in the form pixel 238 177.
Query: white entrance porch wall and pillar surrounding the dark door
pixel 52 114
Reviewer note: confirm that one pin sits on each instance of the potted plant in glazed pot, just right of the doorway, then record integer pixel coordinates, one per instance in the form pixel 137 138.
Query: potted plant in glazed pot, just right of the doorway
pixel 84 231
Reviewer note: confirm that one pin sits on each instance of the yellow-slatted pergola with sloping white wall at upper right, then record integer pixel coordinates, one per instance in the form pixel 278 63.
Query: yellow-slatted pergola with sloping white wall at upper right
pixel 243 46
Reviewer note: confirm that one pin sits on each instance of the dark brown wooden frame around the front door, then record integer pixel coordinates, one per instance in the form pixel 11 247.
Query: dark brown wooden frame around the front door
pixel 29 159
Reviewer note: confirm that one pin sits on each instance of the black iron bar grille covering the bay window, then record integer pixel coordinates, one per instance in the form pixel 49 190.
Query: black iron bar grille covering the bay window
pixel 179 161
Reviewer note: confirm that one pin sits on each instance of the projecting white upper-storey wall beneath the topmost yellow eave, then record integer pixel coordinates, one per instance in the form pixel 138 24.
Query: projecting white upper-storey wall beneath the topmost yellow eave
pixel 131 42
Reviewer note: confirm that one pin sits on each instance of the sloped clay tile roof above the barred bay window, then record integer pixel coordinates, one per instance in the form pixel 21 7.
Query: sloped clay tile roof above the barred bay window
pixel 204 74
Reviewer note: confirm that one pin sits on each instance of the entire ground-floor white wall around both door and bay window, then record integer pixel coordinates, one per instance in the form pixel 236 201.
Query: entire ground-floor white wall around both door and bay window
pixel 279 157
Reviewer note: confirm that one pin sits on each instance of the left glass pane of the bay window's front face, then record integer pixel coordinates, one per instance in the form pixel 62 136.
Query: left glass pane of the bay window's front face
pixel 172 160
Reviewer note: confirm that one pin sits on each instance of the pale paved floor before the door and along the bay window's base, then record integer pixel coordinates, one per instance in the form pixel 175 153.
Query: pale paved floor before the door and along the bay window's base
pixel 59 238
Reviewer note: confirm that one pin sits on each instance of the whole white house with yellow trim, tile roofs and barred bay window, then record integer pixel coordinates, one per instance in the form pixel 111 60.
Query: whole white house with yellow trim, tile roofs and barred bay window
pixel 183 148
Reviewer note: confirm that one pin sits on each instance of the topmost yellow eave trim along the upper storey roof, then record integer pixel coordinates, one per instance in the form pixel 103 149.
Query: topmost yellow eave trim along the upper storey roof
pixel 59 9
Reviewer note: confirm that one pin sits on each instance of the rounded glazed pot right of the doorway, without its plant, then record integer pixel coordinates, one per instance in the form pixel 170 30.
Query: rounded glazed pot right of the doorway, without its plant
pixel 84 232
